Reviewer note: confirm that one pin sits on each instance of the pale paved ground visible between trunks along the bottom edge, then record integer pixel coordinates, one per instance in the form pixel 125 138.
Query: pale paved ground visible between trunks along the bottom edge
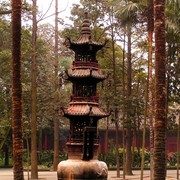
pixel 7 174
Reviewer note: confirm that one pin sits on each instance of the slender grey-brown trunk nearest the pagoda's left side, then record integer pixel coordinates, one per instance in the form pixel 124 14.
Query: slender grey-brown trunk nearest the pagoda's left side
pixel 56 120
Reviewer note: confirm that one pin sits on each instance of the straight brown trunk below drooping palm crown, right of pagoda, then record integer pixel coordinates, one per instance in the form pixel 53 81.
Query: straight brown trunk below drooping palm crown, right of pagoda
pixel 128 128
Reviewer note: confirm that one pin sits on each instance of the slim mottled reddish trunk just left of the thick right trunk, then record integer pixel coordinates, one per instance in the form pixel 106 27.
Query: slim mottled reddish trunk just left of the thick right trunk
pixel 150 29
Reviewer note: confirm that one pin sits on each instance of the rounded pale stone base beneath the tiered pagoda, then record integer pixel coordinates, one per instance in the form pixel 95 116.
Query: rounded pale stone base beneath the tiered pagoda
pixel 79 169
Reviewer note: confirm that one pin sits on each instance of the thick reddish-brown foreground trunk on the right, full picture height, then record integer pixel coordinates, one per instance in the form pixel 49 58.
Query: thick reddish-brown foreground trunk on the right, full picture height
pixel 160 92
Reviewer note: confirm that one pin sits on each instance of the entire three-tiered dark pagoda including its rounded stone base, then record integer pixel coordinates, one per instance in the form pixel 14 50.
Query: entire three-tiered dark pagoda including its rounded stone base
pixel 83 111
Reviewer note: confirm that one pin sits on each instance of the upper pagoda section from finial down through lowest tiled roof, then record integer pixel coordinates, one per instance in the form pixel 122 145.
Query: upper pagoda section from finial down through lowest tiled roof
pixel 85 70
